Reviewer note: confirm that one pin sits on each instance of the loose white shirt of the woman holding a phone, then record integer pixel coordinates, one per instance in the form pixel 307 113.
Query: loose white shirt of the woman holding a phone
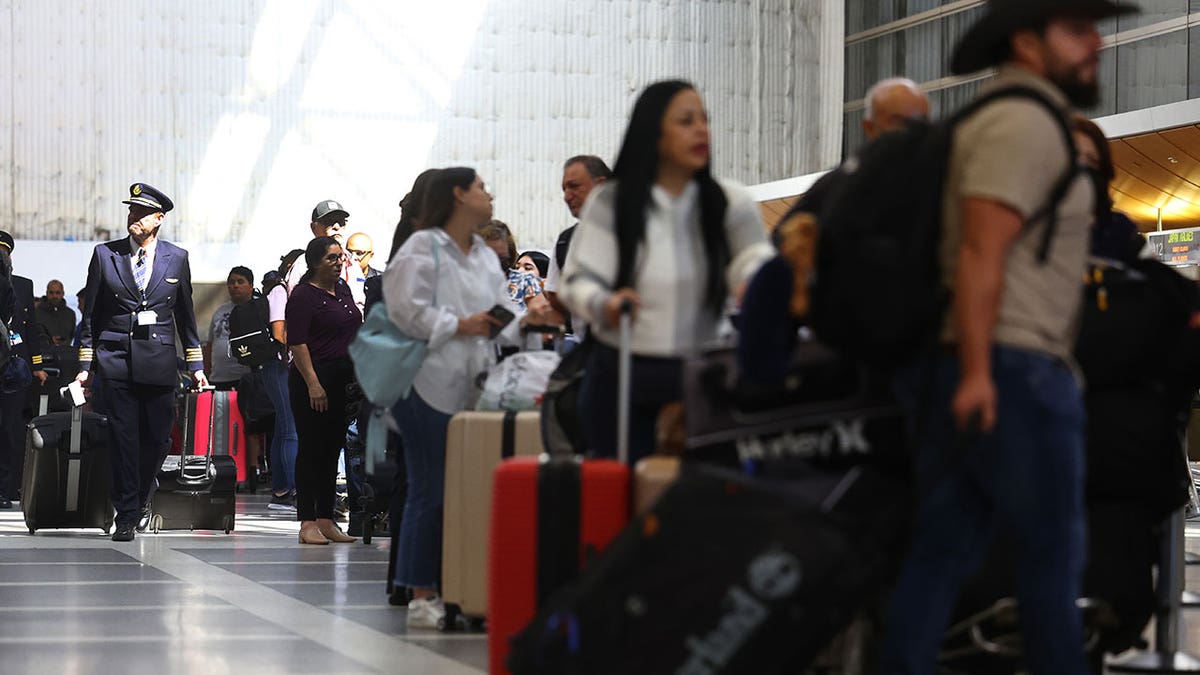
pixel 466 285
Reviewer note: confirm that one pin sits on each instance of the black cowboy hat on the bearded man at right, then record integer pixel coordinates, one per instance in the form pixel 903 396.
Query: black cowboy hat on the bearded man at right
pixel 987 43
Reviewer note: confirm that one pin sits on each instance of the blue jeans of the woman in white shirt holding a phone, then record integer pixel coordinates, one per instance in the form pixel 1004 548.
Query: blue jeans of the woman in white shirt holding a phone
pixel 423 431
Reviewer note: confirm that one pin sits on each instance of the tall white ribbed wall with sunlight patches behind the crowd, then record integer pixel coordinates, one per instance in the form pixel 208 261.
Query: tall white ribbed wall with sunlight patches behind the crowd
pixel 250 112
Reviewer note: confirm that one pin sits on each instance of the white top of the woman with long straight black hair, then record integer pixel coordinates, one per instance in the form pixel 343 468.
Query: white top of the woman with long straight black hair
pixel 670 272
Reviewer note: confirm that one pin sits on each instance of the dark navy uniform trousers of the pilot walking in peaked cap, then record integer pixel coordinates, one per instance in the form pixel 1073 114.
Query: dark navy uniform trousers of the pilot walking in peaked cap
pixel 140 421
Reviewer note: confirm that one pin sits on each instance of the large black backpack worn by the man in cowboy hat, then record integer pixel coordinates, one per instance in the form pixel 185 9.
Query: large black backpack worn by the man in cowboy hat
pixel 879 295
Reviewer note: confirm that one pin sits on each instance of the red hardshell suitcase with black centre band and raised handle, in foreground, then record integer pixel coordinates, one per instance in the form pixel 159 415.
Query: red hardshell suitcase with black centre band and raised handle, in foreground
pixel 550 517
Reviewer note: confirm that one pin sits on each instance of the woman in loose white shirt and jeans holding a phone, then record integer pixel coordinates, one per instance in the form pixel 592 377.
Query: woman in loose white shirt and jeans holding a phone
pixel 440 288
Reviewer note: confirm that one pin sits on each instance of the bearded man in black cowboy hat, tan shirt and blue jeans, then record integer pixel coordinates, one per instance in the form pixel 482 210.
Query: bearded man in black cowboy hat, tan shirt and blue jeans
pixel 1003 440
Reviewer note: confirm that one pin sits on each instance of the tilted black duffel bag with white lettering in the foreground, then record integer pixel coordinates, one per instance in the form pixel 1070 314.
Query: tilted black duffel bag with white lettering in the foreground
pixel 727 575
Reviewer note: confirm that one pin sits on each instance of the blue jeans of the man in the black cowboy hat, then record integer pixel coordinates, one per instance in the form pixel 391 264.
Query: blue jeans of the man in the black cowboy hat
pixel 1027 475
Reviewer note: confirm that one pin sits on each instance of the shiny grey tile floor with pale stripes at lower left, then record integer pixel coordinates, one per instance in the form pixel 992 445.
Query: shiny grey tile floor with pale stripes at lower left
pixel 255 601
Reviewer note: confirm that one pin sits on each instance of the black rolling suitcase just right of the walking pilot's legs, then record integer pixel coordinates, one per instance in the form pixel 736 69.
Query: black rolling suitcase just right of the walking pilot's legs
pixel 196 492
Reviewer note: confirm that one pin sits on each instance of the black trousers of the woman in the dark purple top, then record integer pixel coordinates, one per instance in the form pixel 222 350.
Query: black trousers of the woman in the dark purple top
pixel 322 437
